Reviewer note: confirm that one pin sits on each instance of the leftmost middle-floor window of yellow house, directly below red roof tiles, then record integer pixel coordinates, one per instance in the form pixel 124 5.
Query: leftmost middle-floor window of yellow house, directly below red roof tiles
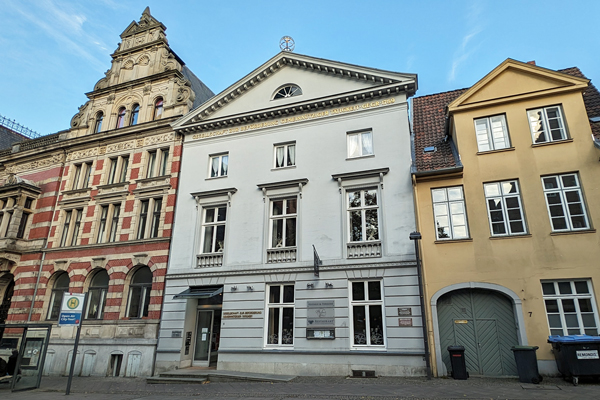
pixel 450 214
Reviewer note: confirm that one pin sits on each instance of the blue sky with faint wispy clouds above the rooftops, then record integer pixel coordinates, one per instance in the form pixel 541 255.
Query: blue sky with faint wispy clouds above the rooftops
pixel 54 51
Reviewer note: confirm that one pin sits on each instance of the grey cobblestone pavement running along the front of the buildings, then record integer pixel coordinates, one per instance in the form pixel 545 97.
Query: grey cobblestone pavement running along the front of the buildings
pixel 320 388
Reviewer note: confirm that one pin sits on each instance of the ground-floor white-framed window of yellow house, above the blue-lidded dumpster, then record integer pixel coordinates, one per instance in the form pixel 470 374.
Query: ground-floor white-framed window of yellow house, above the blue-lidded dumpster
pixel 570 307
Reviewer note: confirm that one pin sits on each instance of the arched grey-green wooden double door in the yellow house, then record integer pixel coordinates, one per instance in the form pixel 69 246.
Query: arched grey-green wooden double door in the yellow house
pixel 483 321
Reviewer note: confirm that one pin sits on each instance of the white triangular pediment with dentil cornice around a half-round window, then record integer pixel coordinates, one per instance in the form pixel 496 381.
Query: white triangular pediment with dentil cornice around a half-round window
pixel 322 82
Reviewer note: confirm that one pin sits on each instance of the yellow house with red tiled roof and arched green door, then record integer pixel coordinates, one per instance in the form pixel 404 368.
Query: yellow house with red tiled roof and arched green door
pixel 506 178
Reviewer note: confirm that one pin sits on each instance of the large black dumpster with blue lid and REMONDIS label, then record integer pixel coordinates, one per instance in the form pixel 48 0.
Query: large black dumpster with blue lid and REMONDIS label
pixel 576 356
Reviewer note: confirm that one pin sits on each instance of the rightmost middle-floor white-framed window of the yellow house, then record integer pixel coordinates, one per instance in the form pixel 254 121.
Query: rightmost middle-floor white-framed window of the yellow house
pixel 564 199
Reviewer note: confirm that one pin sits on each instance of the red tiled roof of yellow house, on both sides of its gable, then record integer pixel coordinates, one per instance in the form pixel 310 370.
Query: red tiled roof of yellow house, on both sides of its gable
pixel 429 122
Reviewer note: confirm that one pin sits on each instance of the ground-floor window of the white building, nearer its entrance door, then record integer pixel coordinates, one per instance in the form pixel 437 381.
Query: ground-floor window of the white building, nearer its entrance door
pixel 280 309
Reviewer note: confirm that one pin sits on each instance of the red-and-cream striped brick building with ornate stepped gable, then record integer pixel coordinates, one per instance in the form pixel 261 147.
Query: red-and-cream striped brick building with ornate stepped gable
pixel 90 209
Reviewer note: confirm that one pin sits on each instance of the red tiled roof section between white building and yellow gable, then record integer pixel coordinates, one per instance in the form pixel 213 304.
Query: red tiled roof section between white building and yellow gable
pixel 429 122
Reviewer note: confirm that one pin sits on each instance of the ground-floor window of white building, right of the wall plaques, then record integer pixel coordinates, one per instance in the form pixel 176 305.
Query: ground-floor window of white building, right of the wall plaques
pixel 367 313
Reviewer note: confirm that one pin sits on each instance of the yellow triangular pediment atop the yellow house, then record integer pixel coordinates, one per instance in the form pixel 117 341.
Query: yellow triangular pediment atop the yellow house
pixel 513 80
